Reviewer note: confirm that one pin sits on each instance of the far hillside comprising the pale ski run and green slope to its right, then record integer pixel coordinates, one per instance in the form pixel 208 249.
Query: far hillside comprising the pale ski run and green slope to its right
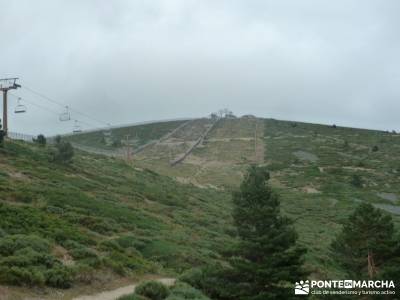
pixel 321 172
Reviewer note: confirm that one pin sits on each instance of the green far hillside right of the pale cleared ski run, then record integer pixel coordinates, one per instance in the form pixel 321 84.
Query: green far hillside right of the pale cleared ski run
pixel 313 168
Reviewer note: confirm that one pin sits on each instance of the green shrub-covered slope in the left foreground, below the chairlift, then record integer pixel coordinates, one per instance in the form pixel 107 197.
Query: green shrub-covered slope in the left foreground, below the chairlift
pixel 67 225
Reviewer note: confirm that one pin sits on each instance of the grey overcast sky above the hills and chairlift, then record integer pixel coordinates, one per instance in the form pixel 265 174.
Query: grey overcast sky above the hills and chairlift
pixel 128 61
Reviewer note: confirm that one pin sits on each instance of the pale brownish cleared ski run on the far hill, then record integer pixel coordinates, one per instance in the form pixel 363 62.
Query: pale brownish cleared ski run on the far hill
pixel 219 161
